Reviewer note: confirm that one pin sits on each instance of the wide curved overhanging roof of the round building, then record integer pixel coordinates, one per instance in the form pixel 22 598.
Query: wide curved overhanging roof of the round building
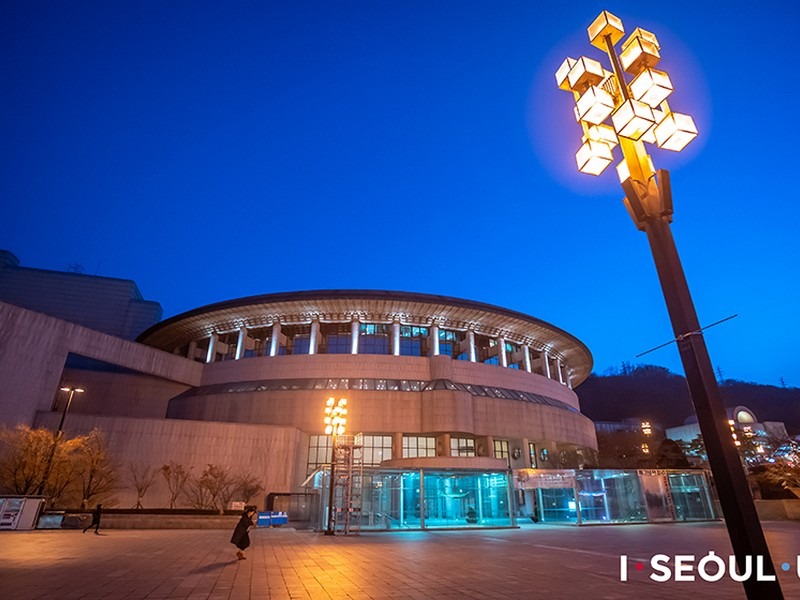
pixel 371 306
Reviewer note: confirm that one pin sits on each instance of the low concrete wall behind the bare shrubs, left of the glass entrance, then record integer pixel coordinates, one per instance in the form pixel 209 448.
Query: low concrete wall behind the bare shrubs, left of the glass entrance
pixel 269 452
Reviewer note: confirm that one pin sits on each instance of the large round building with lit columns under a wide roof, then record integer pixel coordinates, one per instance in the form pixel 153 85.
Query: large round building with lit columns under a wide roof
pixel 430 380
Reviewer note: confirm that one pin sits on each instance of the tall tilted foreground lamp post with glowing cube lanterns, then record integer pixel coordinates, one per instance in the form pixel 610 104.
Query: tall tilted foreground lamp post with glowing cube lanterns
pixel 639 114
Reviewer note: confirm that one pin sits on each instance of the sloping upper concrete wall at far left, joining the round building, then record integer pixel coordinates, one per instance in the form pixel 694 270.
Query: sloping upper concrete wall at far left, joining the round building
pixel 34 347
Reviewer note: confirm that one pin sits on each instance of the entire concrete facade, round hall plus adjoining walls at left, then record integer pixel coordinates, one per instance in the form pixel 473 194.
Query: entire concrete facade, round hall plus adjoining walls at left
pixel 431 382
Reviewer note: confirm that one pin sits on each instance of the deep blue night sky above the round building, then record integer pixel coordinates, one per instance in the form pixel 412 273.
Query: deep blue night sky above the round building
pixel 212 150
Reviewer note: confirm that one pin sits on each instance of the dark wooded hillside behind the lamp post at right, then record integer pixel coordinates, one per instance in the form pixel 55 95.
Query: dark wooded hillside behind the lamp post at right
pixel 656 393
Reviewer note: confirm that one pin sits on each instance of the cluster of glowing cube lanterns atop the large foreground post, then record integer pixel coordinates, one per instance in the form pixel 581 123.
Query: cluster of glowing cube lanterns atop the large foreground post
pixel 638 111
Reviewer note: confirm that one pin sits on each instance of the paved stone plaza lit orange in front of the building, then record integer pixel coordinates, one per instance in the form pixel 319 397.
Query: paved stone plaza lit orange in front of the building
pixel 537 561
